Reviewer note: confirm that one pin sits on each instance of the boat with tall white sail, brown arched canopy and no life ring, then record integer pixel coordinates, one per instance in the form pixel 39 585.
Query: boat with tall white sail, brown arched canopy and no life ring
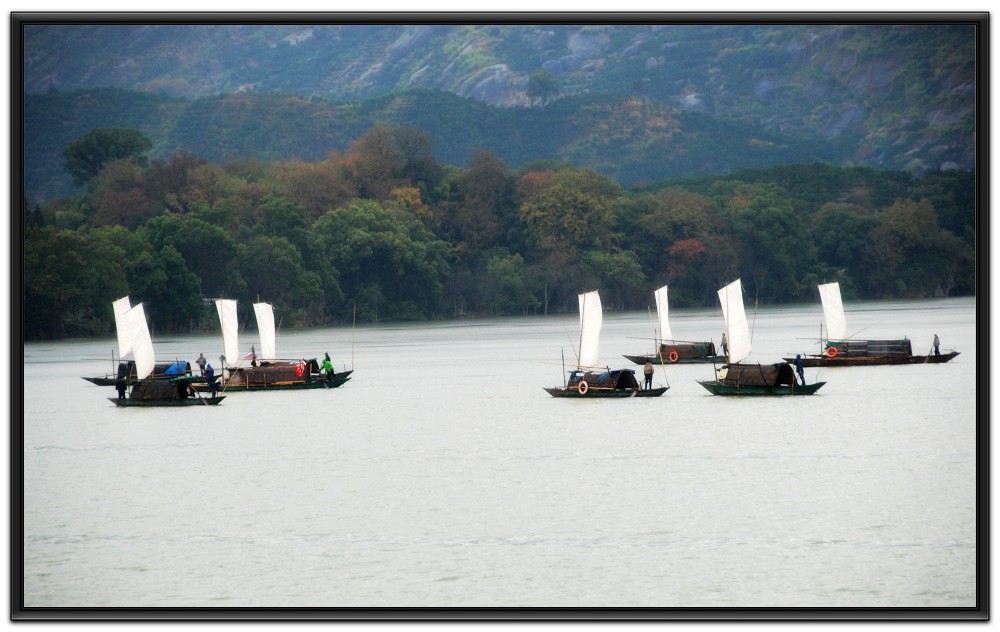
pixel 738 378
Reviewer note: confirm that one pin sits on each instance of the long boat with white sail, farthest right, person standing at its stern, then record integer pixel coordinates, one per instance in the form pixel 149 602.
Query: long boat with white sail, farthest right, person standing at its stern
pixel 840 350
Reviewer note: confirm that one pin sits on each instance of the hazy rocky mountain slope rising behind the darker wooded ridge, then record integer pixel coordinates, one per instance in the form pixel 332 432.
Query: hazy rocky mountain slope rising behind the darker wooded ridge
pixel 893 96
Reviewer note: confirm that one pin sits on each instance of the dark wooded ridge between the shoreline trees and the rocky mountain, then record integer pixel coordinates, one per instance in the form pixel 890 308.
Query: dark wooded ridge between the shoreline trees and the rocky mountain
pixel 632 140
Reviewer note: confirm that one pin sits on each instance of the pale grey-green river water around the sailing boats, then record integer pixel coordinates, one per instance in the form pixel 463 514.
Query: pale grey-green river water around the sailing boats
pixel 442 475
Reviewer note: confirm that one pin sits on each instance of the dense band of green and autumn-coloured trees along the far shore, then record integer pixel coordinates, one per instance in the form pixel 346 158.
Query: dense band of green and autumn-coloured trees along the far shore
pixel 385 229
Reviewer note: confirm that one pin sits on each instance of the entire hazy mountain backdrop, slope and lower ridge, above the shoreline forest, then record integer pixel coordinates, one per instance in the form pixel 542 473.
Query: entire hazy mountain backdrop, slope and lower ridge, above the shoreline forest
pixel 638 102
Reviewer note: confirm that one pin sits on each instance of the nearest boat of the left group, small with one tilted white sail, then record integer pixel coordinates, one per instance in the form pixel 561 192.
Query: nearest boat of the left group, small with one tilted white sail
pixel 145 391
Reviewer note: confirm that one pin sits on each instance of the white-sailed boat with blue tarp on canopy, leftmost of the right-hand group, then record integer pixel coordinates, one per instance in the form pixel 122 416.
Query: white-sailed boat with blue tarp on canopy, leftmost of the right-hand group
pixel 587 380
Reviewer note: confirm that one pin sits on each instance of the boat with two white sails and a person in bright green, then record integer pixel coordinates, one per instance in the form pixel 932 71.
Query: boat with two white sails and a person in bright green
pixel 265 371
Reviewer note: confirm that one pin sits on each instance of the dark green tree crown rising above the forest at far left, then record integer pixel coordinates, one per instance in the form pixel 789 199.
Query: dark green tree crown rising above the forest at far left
pixel 84 158
